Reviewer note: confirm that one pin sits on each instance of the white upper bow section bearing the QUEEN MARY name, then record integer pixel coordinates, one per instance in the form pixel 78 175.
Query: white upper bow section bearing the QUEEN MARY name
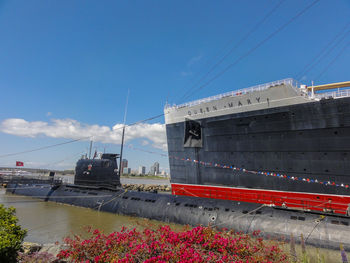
pixel 270 95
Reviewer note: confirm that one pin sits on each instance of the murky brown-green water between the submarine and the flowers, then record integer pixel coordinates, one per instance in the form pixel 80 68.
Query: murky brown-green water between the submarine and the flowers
pixel 48 222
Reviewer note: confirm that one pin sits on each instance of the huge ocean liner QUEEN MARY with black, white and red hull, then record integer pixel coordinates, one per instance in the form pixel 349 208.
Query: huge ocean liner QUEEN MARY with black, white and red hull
pixel 280 143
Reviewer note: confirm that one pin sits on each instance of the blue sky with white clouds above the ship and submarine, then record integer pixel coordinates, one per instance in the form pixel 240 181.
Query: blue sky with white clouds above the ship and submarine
pixel 66 66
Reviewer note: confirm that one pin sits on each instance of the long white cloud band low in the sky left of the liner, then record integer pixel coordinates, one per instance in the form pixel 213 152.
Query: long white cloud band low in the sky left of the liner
pixel 72 129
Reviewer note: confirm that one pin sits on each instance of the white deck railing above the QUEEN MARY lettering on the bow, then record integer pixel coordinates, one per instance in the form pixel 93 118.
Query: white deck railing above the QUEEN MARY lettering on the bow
pixel 261 87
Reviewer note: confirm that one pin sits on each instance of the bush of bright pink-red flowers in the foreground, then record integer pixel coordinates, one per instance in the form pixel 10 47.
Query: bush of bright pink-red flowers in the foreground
pixel 200 244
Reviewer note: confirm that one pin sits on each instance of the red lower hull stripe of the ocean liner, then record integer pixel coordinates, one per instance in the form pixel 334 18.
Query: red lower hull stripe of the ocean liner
pixel 308 201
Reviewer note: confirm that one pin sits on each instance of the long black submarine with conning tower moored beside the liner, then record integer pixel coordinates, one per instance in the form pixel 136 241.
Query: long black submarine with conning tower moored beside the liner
pixel 97 186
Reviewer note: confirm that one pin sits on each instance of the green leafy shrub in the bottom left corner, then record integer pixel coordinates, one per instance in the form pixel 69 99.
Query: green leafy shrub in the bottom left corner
pixel 11 235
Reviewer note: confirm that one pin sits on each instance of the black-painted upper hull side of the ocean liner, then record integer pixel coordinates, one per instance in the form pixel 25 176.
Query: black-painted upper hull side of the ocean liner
pixel 306 145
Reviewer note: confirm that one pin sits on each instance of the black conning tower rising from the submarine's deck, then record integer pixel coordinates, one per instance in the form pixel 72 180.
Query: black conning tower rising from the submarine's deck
pixel 101 172
